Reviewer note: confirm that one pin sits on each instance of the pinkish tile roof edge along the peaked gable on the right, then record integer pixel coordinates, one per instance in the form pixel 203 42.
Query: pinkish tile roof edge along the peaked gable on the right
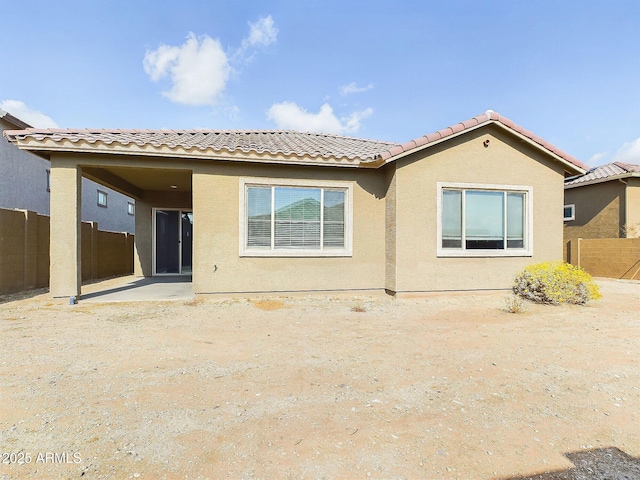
pixel 484 118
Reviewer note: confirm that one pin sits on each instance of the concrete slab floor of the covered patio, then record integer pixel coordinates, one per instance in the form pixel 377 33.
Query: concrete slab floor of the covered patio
pixel 131 289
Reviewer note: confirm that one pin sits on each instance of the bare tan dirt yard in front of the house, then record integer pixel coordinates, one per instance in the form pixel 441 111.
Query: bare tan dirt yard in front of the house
pixel 447 386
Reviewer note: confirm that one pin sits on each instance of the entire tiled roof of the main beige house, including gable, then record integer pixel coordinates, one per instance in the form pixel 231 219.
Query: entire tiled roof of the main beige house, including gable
pixel 278 146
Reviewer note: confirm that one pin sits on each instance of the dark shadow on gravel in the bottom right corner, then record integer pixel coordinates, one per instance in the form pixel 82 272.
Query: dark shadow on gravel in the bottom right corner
pixel 596 464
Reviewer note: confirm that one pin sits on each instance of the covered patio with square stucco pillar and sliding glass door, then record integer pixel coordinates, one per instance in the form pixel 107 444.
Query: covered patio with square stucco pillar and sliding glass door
pixel 162 247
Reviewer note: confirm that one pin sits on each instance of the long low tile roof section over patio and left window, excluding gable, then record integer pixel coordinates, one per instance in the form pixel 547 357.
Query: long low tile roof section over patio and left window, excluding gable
pixel 286 142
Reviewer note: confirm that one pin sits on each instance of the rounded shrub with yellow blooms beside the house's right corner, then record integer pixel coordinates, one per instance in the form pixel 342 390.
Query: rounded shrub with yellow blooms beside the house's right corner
pixel 555 283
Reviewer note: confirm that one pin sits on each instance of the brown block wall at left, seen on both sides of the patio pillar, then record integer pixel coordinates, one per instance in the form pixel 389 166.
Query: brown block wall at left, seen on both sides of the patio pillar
pixel 24 251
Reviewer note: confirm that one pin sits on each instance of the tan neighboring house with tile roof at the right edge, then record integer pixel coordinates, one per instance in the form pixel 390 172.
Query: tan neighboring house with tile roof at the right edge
pixel 603 203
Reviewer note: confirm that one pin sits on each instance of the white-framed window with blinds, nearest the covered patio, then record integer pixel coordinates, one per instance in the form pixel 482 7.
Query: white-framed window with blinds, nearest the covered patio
pixel 294 218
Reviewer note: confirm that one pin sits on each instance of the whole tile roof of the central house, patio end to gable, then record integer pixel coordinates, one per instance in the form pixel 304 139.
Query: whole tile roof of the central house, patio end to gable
pixel 285 142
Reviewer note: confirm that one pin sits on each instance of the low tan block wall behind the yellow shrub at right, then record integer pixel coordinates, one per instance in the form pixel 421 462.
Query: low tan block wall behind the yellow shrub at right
pixel 607 257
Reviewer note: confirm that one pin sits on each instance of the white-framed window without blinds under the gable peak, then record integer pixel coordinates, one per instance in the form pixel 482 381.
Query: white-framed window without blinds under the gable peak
pixel 484 220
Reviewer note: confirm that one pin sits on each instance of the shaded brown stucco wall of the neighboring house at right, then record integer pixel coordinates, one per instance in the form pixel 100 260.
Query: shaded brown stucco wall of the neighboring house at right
pixel 600 211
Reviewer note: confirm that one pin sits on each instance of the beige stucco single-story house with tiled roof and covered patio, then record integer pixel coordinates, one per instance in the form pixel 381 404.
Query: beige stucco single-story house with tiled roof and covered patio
pixel 464 208
